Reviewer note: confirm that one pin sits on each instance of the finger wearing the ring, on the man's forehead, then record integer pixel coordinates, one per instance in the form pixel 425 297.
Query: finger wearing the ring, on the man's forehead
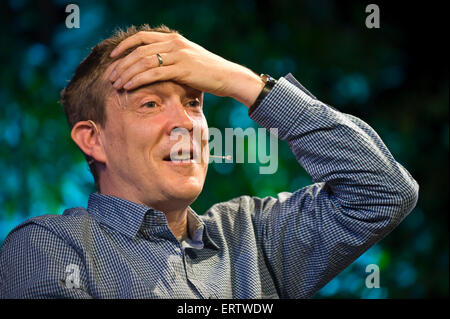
pixel 144 64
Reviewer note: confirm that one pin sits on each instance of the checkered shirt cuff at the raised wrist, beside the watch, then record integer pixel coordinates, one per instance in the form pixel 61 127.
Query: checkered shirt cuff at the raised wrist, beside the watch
pixel 283 106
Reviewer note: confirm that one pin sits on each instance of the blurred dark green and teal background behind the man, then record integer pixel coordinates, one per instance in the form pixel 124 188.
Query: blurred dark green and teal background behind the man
pixel 395 78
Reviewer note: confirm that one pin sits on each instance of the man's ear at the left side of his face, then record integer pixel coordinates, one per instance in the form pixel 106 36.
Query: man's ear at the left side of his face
pixel 86 136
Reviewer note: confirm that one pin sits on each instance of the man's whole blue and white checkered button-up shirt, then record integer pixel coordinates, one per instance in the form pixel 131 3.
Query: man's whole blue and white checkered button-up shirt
pixel 287 246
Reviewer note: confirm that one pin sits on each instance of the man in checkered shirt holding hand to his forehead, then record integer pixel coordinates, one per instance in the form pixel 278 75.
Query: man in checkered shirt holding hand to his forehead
pixel 139 238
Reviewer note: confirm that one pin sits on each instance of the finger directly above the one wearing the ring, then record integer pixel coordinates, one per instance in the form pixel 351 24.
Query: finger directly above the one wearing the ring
pixel 137 54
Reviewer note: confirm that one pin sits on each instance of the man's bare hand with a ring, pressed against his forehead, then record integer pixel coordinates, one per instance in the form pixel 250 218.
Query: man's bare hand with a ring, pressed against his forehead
pixel 149 57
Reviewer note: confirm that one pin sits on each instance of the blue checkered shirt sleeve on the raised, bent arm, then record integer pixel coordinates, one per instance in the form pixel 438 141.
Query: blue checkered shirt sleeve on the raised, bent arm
pixel 360 192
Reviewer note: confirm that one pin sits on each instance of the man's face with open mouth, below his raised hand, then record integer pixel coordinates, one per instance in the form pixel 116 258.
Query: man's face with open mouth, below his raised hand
pixel 138 144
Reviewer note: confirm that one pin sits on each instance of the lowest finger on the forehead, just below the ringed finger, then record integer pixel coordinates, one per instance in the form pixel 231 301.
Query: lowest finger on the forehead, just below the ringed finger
pixel 163 73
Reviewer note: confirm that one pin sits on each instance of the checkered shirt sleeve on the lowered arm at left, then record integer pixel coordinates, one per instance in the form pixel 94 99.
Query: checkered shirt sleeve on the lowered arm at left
pixel 36 263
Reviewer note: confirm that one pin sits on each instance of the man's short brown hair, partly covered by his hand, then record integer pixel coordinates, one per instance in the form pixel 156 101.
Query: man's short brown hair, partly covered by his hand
pixel 84 98
